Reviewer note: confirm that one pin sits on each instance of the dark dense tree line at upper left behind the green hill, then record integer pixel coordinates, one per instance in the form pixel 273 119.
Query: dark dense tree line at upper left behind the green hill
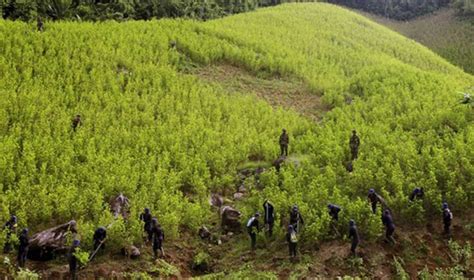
pixel 127 9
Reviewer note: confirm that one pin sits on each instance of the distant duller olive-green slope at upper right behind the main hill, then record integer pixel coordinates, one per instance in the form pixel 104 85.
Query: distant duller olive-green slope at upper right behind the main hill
pixel 443 32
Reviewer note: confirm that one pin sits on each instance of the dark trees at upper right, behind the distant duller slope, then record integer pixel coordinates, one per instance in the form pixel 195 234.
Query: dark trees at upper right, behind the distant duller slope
pixel 397 9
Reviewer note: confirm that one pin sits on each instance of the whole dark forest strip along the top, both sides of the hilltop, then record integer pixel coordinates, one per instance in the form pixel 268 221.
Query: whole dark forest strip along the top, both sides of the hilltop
pixel 204 10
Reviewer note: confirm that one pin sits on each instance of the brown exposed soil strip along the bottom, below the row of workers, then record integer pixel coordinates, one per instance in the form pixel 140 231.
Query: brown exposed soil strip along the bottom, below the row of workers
pixel 417 245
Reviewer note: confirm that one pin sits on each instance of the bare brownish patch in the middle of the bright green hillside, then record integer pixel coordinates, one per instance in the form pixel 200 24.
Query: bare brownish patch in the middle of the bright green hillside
pixel 277 91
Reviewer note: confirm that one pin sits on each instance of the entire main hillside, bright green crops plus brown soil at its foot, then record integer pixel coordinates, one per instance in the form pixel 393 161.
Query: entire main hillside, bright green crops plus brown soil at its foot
pixel 172 109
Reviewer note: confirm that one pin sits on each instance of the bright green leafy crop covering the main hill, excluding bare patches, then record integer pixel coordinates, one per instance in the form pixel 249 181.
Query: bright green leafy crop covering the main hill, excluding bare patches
pixel 337 53
